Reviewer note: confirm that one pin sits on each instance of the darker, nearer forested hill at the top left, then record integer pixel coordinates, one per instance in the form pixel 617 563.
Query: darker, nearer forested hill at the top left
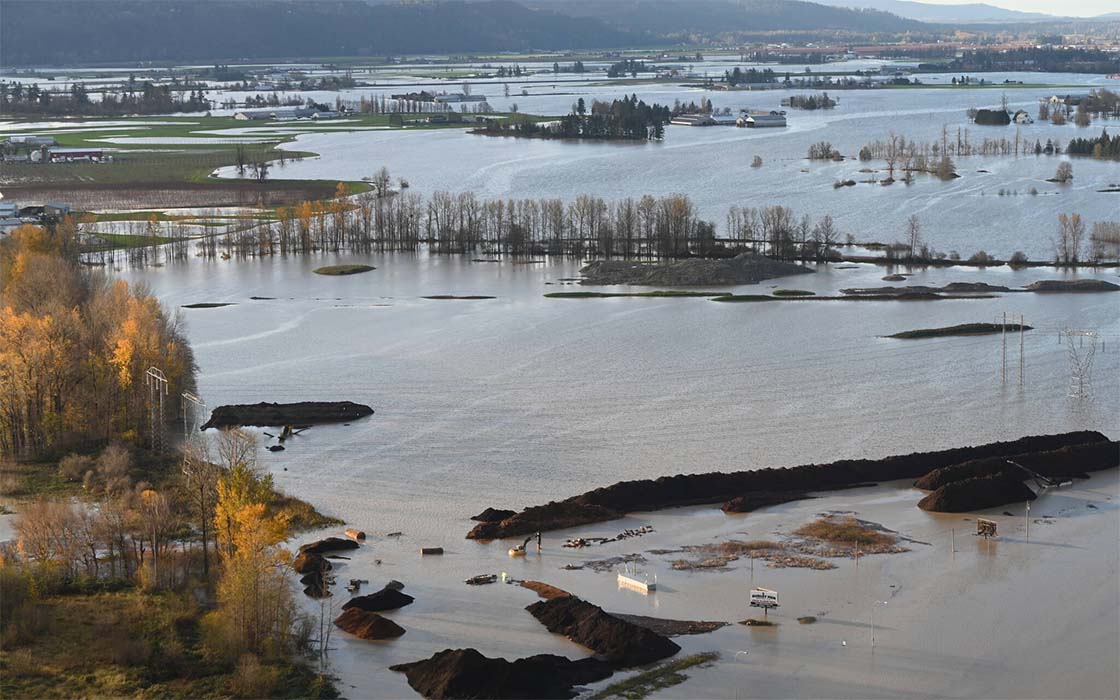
pixel 85 32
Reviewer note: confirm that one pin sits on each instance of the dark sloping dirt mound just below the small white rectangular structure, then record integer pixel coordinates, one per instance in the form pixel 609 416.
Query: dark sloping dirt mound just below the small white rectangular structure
pixel 622 643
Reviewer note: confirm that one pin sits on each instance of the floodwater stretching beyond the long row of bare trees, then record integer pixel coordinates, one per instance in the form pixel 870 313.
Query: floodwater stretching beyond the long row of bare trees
pixel 713 165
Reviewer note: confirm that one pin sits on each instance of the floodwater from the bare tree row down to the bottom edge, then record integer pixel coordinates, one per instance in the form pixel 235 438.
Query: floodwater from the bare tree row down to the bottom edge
pixel 521 400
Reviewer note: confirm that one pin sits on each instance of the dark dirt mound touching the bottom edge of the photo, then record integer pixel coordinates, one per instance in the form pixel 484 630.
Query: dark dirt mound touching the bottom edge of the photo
pixel 466 674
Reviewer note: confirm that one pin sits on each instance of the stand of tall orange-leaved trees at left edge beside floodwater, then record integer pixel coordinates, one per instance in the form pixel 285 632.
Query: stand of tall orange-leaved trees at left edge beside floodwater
pixel 76 348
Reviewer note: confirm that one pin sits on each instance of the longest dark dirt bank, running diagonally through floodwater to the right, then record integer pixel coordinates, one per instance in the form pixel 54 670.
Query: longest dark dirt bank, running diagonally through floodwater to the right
pixel 615 501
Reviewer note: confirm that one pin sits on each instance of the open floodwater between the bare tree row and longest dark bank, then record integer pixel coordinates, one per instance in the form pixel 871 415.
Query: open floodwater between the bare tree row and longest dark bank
pixel 524 399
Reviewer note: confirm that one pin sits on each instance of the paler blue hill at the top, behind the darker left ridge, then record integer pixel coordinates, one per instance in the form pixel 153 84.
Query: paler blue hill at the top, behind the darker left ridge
pixel 674 18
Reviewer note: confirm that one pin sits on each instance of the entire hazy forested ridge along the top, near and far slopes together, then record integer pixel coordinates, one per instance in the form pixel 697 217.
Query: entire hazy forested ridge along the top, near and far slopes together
pixel 141 31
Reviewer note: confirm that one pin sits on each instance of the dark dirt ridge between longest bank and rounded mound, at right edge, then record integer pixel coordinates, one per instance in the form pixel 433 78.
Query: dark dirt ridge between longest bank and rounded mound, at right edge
pixel 1075 461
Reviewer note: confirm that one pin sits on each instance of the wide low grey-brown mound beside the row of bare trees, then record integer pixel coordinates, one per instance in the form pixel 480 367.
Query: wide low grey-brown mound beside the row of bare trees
pixel 743 269
